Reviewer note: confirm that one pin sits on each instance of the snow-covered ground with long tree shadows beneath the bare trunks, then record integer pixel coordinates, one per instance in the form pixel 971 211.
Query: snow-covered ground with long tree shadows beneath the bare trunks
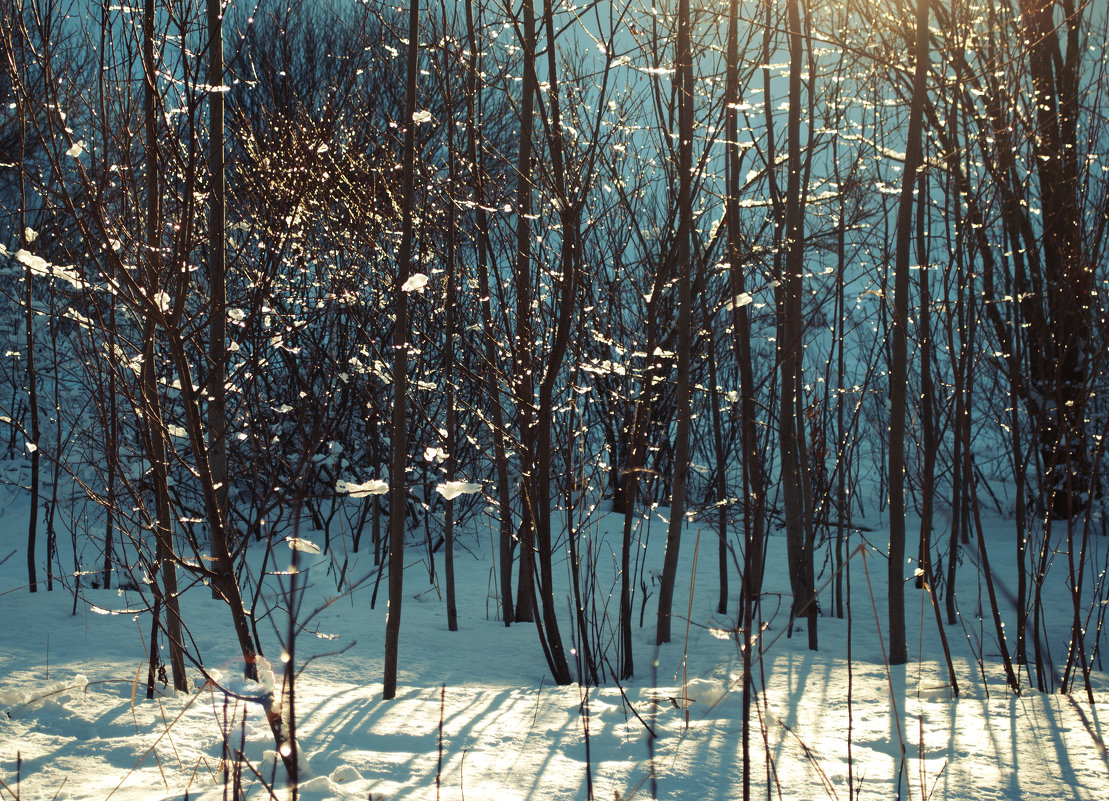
pixel 477 716
